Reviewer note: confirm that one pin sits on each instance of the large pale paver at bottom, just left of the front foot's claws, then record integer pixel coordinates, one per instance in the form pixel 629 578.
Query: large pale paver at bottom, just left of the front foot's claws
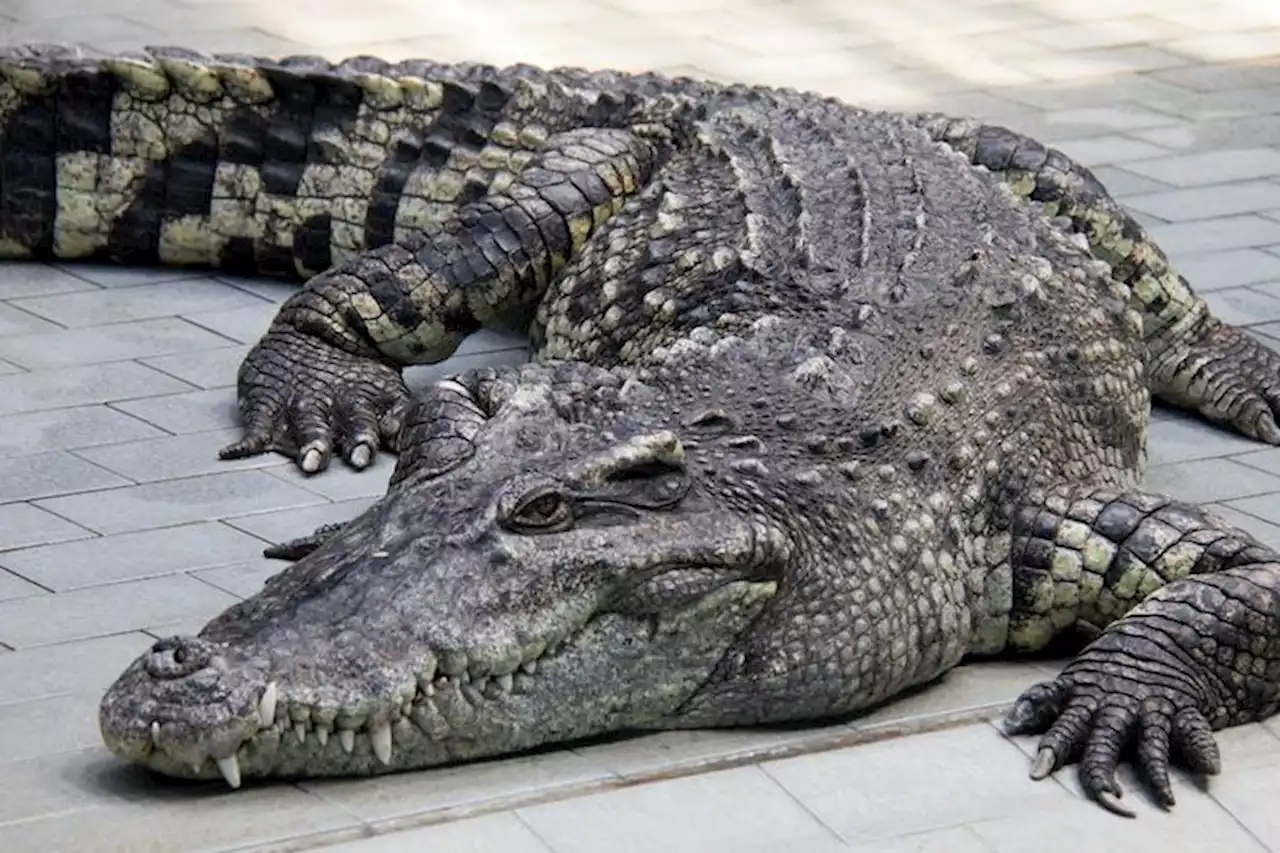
pixel 862 792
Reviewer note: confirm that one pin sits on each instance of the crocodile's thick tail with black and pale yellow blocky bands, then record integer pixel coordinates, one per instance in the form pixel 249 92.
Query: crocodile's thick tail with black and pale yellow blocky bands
pixel 262 167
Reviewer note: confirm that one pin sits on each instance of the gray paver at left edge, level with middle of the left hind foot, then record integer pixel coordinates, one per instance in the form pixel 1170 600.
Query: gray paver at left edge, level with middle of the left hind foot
pixel 84 386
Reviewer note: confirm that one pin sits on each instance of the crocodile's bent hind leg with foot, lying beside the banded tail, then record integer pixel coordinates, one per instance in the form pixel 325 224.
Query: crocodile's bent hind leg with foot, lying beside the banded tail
pixel 327 376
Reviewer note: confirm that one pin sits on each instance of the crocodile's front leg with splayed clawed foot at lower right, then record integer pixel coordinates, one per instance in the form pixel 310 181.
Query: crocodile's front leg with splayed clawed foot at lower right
pixel 1188 618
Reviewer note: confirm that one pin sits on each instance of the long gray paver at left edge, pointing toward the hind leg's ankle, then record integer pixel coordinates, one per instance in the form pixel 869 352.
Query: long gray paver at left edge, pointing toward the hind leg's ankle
pixel 103 344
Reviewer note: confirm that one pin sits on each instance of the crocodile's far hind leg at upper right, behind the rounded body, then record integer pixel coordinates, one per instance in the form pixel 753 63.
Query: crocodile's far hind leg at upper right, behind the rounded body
pixel 1194 361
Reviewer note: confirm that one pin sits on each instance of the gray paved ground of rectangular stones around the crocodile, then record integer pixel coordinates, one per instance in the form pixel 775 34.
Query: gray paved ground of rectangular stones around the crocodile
pixel 118 524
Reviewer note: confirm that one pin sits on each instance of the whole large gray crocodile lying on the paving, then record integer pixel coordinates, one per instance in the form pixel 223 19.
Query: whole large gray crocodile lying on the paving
pixel 822 402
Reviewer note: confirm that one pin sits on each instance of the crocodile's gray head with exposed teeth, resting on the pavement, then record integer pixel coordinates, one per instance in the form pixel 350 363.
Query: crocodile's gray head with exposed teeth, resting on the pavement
pixel 568 574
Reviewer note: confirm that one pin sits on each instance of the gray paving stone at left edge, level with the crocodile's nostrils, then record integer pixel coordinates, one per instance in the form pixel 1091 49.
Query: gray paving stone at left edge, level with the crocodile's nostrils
pixel 83 667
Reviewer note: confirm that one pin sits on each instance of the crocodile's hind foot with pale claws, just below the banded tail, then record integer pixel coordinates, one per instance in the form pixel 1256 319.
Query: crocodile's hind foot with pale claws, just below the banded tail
pixel 308 400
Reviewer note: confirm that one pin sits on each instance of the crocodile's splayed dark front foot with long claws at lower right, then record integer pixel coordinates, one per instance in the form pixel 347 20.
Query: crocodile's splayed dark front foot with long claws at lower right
pixel 1107 703
